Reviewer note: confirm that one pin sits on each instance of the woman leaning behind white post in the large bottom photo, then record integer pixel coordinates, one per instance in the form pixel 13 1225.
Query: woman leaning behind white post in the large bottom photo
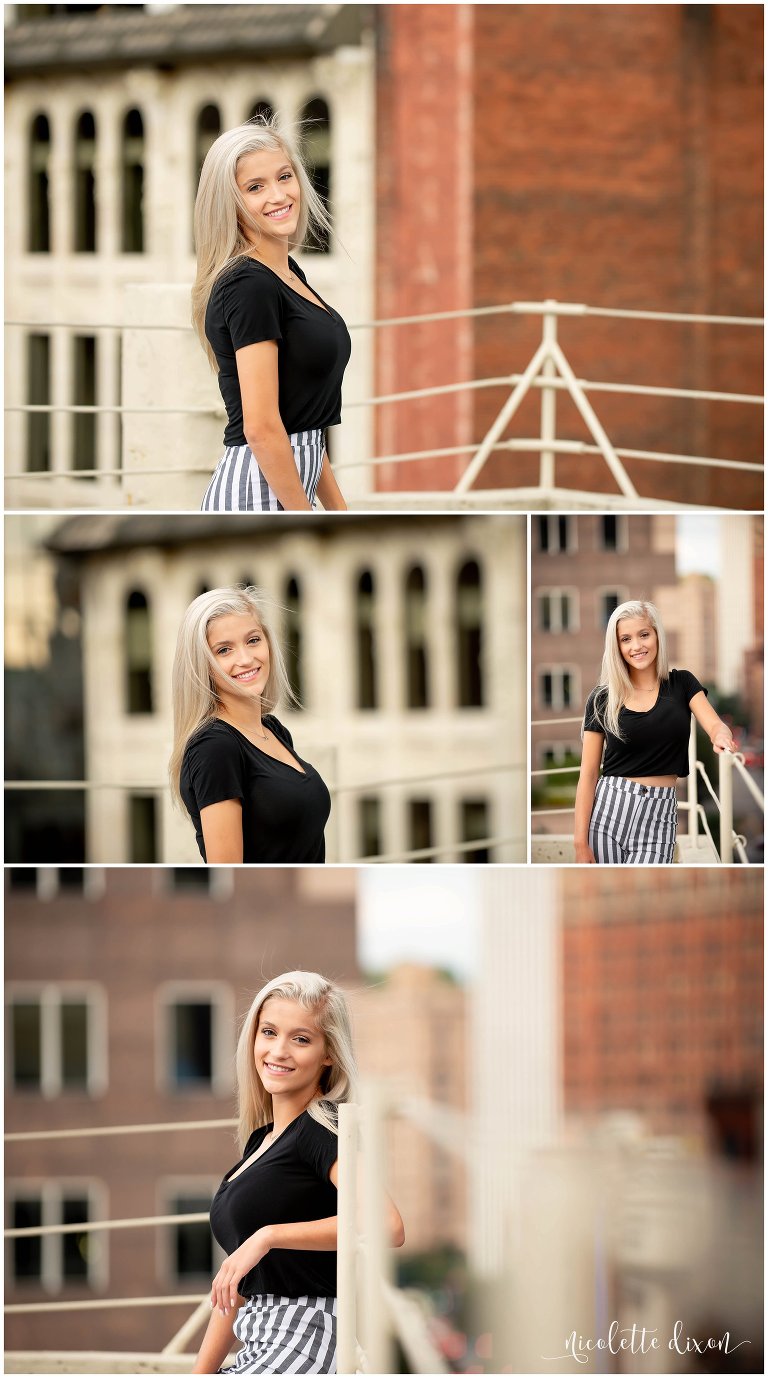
pixel 275 1213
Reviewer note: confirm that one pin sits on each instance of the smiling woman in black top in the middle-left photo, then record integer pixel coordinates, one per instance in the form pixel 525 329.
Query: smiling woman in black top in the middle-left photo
pixel 234 768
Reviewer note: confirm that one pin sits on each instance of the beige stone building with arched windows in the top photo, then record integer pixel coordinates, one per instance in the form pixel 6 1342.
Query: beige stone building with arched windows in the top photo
pixel 108 119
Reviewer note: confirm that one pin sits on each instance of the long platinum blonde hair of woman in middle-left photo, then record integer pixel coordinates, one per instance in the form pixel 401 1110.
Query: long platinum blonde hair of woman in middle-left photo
pixel 194 684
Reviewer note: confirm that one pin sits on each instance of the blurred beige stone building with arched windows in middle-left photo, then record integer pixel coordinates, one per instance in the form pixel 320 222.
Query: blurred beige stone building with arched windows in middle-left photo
pixel 409 640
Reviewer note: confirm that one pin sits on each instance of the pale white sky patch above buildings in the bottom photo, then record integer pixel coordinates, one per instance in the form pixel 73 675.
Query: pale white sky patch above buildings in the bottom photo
pixel 418 914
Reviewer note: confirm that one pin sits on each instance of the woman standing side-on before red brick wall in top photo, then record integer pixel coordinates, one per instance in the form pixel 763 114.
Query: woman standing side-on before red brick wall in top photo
pixel 281 351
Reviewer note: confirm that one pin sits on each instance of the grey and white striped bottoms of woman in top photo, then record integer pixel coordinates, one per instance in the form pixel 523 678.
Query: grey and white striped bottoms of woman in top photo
pixel 241 487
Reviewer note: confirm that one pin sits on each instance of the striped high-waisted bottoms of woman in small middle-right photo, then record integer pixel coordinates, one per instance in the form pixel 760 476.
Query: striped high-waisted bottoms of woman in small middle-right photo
pixel 634 825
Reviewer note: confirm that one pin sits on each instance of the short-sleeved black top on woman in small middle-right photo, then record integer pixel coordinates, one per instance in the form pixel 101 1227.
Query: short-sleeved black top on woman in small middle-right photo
pixel 654 742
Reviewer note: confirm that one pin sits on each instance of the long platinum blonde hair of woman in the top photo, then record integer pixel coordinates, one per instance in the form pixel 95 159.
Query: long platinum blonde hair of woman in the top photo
pixel 221 216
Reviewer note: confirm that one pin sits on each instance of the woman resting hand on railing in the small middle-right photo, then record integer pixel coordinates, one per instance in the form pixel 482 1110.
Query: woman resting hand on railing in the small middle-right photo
pixel 638 723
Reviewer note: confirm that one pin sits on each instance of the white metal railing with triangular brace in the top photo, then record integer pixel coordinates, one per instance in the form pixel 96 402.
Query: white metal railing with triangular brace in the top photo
pixel 548 373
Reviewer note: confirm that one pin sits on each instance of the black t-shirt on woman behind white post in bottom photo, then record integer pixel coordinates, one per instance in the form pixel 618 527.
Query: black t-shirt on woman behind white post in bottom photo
pixel 287 1184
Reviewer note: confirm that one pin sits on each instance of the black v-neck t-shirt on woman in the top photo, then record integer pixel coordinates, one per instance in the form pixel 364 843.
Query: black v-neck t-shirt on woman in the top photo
pixel 250 304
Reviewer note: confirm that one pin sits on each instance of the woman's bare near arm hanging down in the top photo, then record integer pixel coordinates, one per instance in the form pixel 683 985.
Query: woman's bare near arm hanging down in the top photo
pixel 264 431
